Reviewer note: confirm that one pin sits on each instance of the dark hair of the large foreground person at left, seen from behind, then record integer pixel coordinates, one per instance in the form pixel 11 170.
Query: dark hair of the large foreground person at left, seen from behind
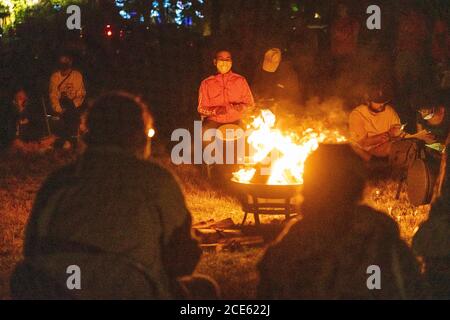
pixel 116 119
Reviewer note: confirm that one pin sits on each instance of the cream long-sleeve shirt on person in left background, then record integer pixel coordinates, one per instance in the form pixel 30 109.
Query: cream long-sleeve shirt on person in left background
pixel 73 87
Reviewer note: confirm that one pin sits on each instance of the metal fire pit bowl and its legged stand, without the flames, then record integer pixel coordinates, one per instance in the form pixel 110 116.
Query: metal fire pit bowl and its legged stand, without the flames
pixel 259 198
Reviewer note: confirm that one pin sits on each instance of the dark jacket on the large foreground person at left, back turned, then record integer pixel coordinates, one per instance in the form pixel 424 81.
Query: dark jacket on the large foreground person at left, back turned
pixel 114 216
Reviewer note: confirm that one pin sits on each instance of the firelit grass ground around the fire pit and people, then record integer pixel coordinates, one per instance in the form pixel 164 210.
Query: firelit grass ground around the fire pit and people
pixel 20 178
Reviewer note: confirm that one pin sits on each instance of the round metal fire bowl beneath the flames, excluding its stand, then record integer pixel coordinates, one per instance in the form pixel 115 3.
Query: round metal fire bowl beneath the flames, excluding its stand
pixel 268 191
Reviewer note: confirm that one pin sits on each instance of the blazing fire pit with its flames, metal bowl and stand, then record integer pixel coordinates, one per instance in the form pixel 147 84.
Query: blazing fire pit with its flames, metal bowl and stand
pixel 271 179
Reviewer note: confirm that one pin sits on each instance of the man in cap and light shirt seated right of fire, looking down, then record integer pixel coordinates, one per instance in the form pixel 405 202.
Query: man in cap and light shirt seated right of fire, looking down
pixel 375 126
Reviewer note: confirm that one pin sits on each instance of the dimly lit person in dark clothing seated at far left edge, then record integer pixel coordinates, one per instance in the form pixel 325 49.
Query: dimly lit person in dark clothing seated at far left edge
pixel 20 127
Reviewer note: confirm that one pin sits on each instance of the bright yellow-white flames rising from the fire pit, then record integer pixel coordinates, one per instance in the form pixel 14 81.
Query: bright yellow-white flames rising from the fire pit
pixel 283 153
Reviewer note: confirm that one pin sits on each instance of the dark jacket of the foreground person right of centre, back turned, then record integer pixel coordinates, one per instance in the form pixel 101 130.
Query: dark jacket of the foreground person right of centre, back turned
pixel 318 260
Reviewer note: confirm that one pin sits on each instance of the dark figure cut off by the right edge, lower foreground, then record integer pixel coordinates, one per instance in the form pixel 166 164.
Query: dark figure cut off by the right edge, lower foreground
pixel 432 240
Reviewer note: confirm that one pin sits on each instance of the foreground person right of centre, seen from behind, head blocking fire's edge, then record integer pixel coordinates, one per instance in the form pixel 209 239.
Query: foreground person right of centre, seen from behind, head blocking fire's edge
pixel 326 255
